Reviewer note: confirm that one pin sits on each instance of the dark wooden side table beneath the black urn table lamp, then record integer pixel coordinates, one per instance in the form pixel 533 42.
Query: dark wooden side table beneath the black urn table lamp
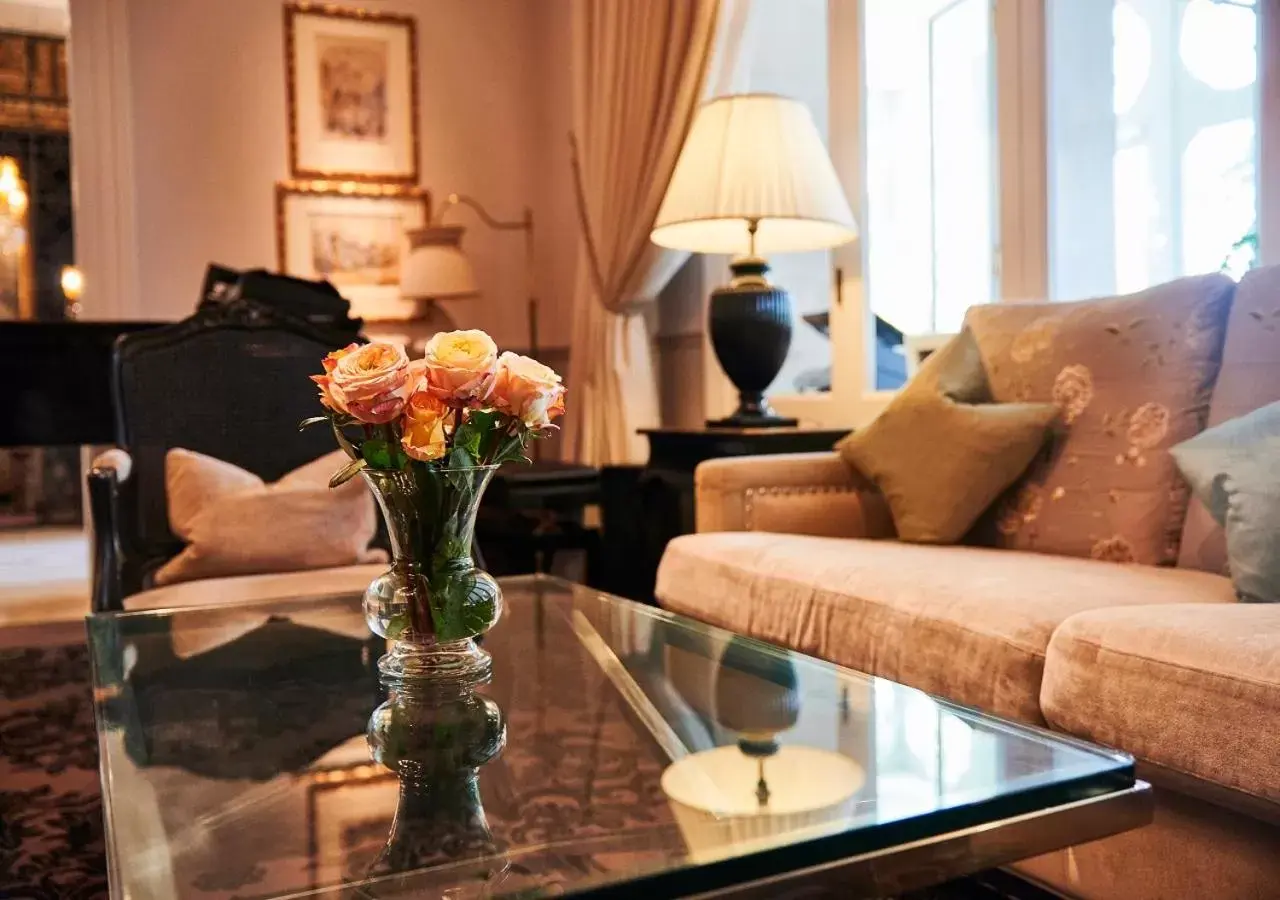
pixel 646 508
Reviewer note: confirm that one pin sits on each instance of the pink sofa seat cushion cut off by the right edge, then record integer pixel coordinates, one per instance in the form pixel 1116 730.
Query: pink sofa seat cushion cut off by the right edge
pixel 1194 688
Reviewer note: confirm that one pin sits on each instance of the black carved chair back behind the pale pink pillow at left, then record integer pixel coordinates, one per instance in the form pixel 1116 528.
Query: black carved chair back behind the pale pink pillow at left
pixel 230 382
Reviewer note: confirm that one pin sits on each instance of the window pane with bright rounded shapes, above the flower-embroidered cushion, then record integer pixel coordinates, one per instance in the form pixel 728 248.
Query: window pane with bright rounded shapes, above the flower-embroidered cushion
pixel 1151 159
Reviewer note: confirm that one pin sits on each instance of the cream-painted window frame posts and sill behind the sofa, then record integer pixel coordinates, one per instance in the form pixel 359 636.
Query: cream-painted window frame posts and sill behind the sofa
pixel 1020 29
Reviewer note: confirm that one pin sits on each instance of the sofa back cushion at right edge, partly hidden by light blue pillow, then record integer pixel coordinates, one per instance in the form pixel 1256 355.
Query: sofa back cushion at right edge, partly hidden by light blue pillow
pixel 1250 381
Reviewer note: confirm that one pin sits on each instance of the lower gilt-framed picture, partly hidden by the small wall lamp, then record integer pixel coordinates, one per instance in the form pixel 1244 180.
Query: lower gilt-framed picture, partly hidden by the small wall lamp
pixel 351 236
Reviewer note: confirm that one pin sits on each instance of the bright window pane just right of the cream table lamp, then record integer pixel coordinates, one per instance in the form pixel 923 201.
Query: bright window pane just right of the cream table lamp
pixel 931 213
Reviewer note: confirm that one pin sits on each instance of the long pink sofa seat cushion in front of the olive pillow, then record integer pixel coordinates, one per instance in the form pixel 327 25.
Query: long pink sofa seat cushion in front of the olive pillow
pixel 964 623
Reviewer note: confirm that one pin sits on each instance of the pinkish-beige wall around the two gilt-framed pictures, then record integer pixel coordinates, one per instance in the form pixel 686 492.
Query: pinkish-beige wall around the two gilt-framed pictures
pixel 207 85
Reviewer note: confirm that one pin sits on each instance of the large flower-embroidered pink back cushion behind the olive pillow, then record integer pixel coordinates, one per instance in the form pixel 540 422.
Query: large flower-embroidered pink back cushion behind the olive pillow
pixel 1132 377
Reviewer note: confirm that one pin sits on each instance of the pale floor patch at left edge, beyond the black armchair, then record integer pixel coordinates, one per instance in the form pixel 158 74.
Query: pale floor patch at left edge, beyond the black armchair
pixel 44 575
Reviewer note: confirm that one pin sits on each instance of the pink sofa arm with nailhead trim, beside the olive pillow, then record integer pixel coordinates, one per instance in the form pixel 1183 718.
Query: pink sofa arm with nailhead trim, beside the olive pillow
pixel 793 494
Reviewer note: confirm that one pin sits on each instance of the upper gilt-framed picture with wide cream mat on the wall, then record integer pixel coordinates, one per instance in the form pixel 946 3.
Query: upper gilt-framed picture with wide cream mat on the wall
pixel 353 93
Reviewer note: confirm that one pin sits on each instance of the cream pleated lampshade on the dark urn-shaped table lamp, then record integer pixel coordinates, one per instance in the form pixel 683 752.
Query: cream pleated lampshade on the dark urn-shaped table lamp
pixel 755 157
